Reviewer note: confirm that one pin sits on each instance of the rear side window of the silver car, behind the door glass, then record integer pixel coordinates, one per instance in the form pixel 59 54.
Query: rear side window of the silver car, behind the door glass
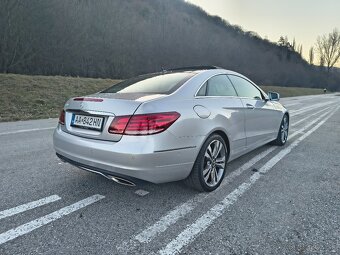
pixel 218 85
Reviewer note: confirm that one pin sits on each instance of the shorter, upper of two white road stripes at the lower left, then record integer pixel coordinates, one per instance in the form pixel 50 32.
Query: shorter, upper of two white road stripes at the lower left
pixel 28 206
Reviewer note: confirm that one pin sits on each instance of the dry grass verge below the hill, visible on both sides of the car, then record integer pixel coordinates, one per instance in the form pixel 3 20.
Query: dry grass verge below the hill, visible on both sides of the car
pixel 24 97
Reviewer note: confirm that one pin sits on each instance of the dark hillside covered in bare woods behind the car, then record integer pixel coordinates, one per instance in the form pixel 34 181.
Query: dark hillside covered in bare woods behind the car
pixel 119 39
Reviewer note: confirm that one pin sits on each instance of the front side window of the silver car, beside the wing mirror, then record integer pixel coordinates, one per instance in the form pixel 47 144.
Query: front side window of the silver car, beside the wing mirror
pixel 244 88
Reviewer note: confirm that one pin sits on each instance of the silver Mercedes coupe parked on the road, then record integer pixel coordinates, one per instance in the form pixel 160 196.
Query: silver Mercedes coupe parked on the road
pixel 180 124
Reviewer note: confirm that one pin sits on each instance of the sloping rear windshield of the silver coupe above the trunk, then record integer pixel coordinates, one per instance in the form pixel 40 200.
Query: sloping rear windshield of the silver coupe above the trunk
pixel 164 83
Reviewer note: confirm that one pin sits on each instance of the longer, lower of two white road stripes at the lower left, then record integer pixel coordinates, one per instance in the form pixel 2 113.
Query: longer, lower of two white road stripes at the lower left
pixel 37 223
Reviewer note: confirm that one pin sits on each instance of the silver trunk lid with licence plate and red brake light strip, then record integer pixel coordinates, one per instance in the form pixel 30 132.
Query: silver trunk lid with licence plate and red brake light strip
pixel 101 108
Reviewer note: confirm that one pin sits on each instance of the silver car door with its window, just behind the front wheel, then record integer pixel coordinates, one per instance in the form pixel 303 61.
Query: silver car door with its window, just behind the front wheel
pixel 260 114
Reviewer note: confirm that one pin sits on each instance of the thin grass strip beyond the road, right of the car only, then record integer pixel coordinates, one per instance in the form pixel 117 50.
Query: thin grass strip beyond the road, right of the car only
pixel 292 91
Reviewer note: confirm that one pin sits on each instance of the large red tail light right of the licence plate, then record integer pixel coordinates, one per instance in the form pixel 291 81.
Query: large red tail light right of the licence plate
pixel 143 124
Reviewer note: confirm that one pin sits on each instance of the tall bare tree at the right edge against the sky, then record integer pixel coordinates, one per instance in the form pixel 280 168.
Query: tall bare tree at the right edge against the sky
pixel 328 47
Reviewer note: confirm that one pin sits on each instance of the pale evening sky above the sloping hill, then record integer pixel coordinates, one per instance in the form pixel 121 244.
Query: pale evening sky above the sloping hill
pixel 303 20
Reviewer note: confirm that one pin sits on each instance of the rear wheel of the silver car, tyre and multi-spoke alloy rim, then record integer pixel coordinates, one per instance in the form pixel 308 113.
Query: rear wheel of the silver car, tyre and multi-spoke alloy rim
pixel 209 169
